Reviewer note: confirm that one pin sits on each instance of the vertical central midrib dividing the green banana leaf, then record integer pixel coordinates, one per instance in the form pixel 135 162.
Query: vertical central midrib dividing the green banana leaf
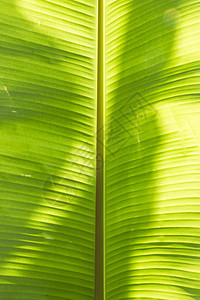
pixel 99 242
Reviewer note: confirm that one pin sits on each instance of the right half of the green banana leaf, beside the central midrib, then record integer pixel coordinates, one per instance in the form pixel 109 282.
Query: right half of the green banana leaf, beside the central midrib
pixel 152 150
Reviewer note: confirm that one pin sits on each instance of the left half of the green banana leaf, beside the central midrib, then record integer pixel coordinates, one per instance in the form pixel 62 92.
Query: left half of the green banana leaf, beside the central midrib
pixel 47 149
